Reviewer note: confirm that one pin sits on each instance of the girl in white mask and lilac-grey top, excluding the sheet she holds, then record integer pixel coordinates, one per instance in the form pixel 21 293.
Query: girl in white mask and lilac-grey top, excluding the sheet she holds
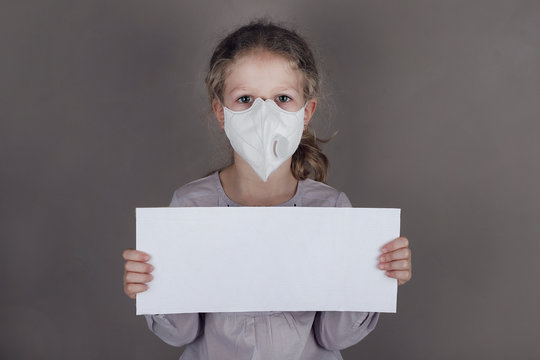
pixel 263 85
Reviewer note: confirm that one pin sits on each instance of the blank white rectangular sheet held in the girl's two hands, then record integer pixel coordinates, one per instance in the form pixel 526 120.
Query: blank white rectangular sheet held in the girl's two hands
pixel 221 259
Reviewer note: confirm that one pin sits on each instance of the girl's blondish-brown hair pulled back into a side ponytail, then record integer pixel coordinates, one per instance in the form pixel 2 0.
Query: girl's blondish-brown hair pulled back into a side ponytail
pixel 308 161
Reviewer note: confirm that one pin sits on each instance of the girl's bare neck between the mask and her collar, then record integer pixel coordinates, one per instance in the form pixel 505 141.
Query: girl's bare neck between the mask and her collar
pixel 243 186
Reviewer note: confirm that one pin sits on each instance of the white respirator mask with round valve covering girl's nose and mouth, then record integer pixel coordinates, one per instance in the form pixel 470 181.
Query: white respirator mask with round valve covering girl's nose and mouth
pixel 264 135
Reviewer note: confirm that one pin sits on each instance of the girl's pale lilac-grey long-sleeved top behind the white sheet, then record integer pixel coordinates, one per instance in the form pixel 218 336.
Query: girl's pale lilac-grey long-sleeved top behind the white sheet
pixel 298 335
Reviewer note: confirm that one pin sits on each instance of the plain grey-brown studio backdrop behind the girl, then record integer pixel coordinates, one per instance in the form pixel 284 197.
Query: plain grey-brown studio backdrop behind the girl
pixel 437 103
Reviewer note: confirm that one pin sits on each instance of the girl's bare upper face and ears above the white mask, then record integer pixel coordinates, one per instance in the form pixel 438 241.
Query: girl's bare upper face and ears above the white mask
pixel 265 75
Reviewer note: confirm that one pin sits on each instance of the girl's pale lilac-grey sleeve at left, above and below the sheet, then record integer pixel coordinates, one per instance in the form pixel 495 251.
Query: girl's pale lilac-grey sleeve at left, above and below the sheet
pixel 176 329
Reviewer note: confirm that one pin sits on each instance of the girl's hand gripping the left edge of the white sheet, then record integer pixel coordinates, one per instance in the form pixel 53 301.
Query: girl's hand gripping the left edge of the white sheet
pixel 136 272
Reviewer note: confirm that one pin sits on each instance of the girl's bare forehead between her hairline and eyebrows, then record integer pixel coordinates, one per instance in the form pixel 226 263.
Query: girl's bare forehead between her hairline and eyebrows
pixel 262 69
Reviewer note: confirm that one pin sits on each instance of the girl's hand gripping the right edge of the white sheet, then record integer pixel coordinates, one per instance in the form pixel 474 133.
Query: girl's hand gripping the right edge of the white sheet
pixel 396 260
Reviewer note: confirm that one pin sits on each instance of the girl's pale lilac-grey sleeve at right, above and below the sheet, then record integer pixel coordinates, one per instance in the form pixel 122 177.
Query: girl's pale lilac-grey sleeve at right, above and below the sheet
pixel 337 330
